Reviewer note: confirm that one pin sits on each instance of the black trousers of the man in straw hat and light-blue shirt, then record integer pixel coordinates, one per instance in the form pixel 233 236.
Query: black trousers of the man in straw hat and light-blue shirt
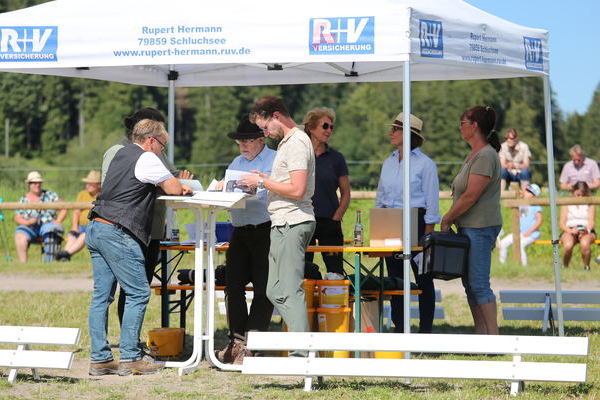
pixel 395 268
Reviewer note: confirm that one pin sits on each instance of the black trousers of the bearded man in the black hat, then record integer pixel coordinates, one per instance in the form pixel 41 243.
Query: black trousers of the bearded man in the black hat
pixel 247 260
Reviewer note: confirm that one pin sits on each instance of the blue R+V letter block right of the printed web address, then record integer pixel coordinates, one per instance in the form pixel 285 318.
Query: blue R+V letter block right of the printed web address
pixel 325 32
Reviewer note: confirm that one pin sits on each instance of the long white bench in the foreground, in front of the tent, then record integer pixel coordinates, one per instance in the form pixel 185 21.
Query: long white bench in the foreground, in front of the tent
pixel 516 370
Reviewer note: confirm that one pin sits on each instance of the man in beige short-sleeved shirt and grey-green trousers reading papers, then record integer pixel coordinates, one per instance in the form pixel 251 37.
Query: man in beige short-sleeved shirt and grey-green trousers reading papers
pixel 291 186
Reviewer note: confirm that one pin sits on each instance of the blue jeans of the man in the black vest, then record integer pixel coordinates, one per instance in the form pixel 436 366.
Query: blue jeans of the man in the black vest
pixel 116 256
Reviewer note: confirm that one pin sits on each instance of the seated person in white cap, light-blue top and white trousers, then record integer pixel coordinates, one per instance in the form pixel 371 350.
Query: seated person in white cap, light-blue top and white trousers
pixel 530 222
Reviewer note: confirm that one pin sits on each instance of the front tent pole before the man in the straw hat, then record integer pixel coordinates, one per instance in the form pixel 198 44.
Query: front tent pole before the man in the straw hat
pixel 406 228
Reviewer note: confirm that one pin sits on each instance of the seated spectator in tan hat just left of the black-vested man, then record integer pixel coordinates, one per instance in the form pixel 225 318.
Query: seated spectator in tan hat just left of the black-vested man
pixel 76 237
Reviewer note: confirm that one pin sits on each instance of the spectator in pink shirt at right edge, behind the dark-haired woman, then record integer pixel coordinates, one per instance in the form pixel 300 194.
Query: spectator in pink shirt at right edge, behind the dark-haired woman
pixel 580 168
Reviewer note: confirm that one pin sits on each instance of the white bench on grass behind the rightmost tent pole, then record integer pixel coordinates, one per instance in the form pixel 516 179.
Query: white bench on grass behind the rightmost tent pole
pixel 547 311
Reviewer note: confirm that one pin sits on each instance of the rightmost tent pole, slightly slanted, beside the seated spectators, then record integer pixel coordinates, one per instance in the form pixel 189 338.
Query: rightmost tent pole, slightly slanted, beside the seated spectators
pixel 553 213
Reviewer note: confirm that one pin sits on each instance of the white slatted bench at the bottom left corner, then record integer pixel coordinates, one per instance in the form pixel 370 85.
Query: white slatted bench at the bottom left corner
pixel 24 357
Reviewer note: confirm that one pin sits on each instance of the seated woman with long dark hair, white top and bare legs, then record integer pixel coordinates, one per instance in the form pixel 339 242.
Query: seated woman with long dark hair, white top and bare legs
pixel 577 223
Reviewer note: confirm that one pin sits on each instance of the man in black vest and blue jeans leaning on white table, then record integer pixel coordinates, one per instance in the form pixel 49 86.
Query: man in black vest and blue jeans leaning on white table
pixel 120 229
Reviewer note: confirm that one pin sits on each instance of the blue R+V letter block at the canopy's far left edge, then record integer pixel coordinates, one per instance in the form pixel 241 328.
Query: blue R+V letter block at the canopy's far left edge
pixel 24 39
